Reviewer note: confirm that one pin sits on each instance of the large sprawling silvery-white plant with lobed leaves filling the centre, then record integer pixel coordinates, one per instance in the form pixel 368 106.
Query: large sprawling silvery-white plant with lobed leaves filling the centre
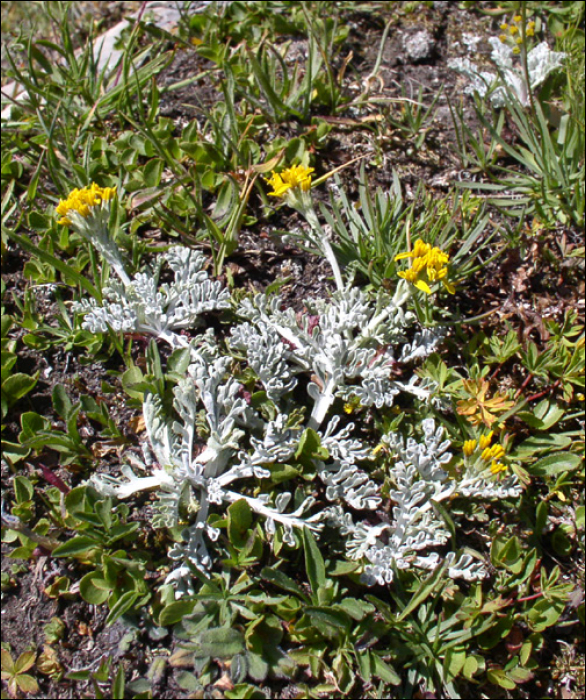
pixel 345 348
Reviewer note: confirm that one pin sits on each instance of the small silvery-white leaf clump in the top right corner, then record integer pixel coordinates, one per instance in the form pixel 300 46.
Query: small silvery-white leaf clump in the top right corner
pixel 541 62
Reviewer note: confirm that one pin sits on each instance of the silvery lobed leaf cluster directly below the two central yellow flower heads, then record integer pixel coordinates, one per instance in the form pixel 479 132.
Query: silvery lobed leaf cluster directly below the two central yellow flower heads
pixel 348 343
